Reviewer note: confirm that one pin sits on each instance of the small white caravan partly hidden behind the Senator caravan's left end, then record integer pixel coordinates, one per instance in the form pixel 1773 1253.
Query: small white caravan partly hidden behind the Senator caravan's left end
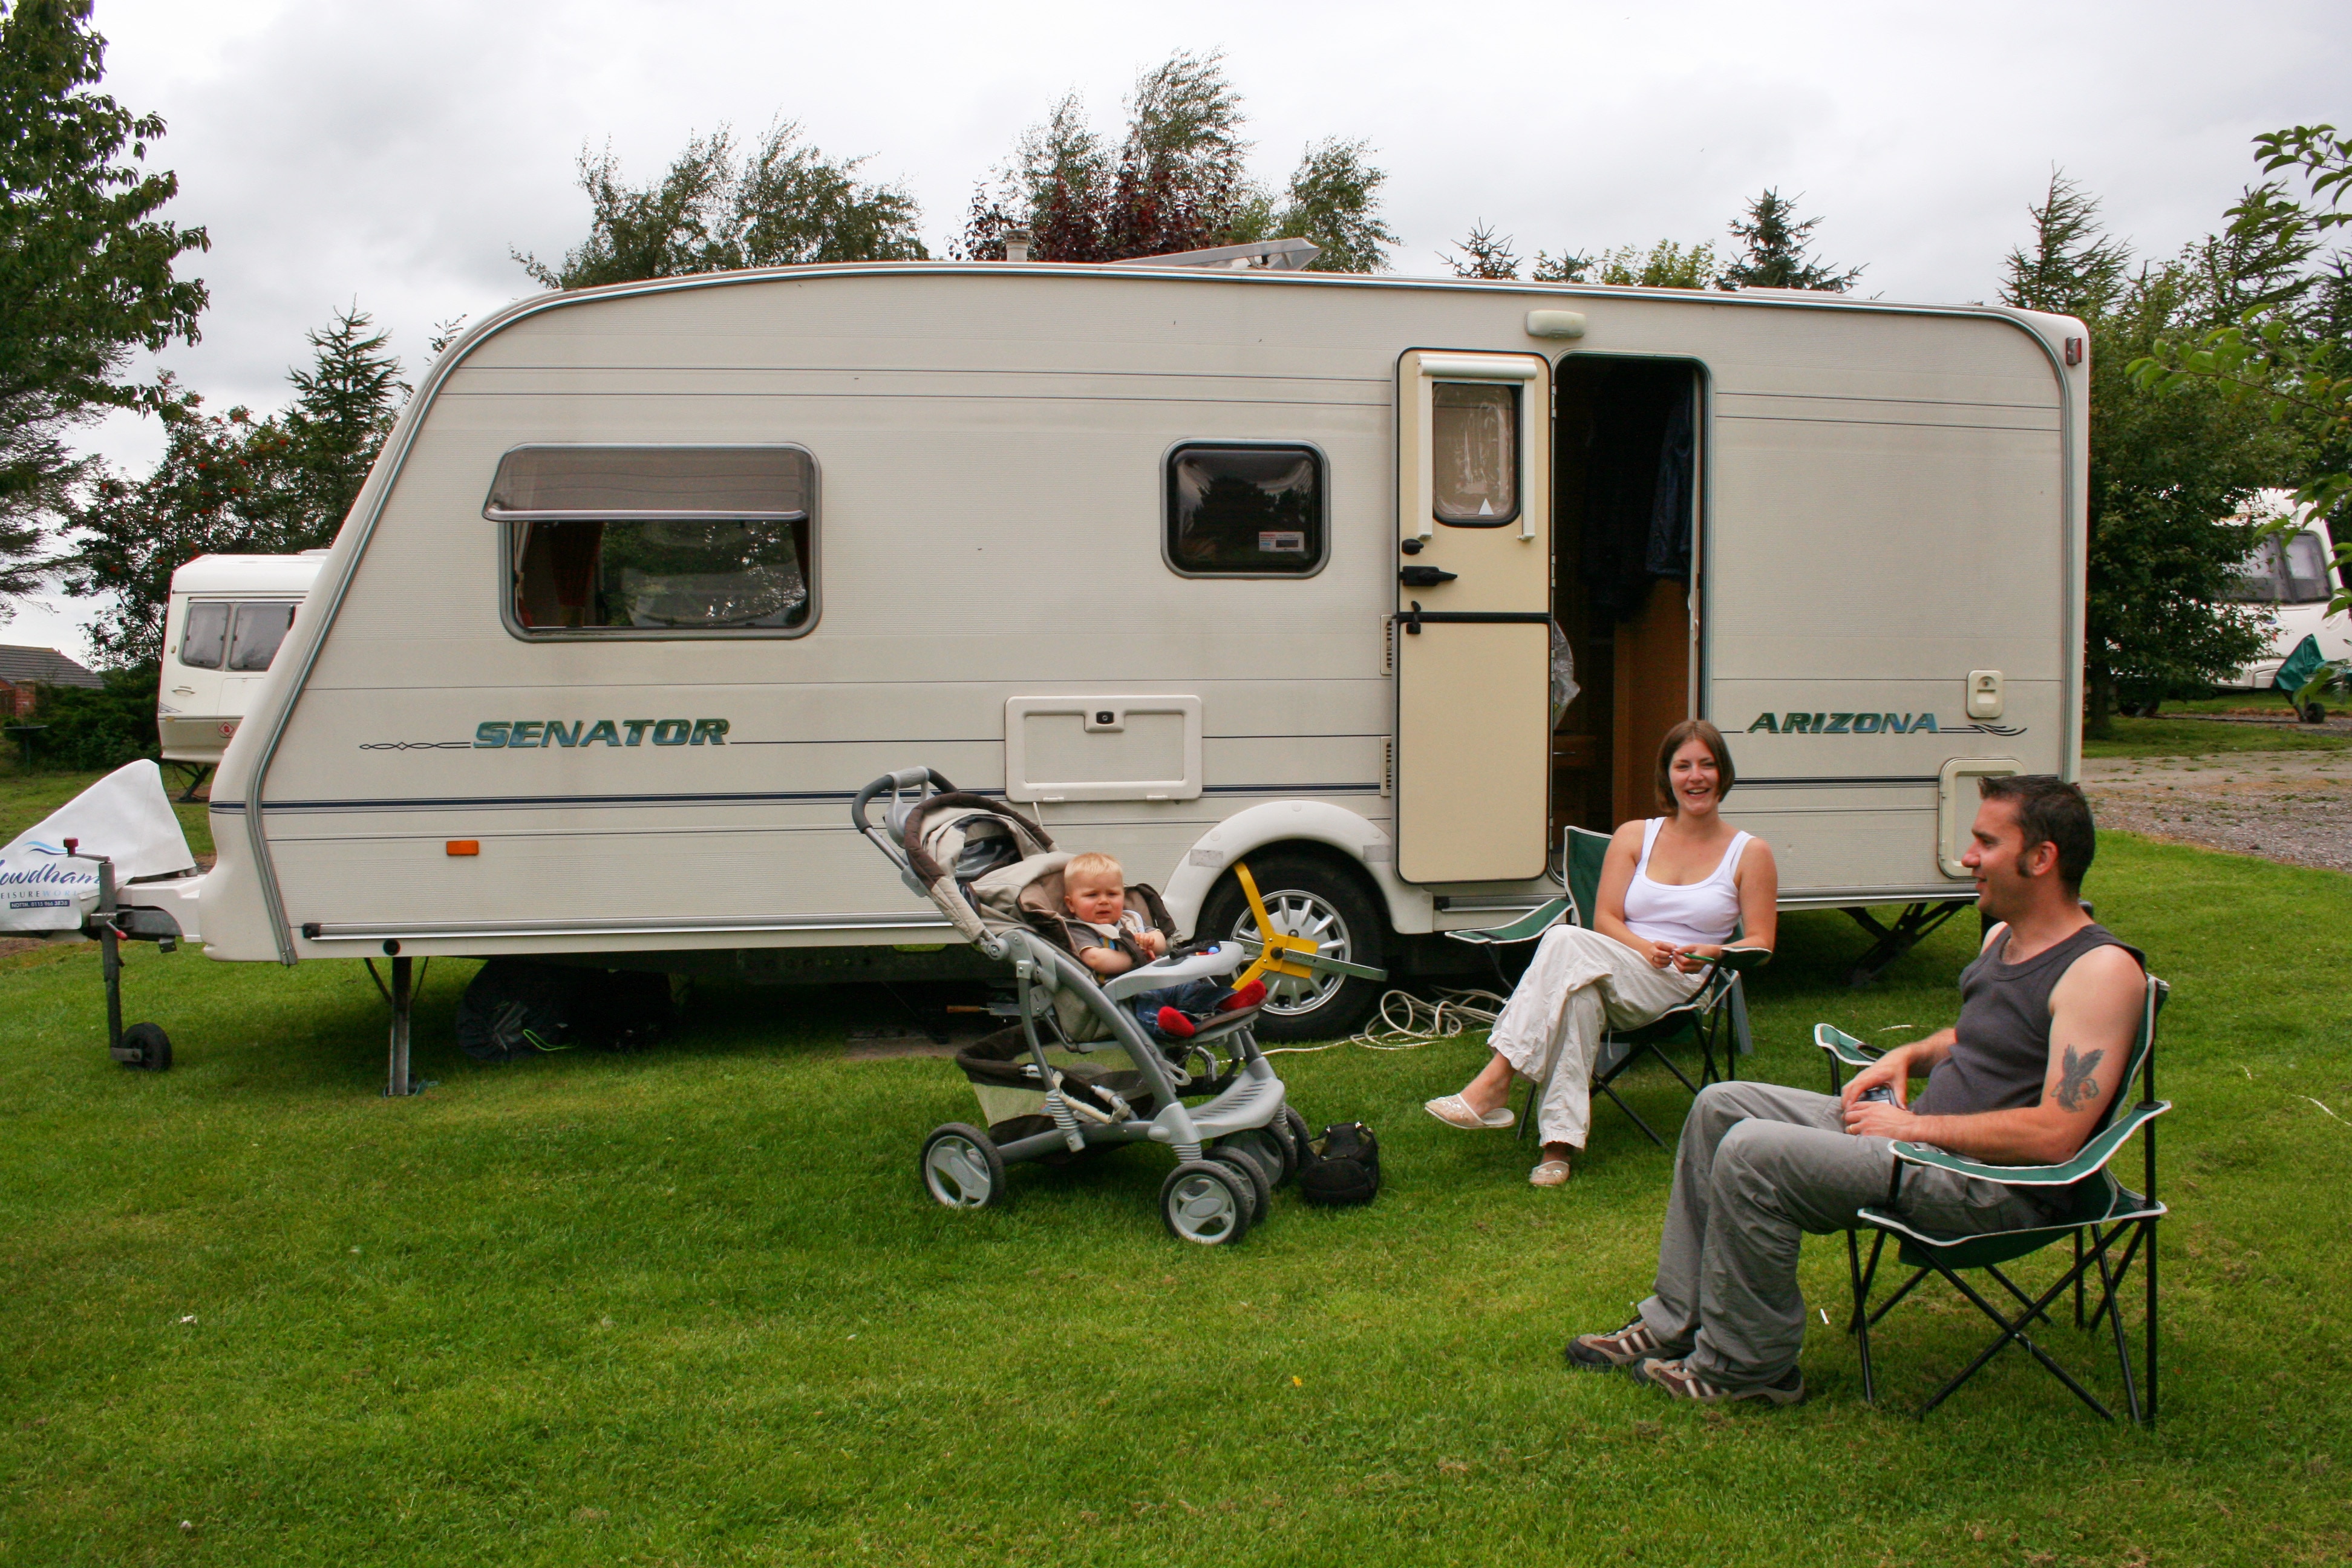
pixel 220 634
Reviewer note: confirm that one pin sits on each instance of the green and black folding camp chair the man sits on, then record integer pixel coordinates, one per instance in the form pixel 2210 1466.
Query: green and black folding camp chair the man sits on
pixel 2116 1214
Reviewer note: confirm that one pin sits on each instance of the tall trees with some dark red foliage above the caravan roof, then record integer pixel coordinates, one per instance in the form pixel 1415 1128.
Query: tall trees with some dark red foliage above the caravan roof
pixel 1177 180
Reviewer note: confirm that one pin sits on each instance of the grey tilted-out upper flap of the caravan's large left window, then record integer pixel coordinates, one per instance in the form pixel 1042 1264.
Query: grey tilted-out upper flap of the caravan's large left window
pixel 650 483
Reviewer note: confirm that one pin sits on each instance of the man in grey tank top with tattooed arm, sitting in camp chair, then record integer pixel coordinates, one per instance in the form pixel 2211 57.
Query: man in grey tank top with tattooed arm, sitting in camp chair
pixel 2047 1017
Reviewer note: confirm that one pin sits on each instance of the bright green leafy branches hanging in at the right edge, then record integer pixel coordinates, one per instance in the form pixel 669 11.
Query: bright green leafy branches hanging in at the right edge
pixel 2285 351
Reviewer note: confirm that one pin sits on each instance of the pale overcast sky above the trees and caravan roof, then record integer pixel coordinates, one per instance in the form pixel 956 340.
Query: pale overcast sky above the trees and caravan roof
pixel 394 154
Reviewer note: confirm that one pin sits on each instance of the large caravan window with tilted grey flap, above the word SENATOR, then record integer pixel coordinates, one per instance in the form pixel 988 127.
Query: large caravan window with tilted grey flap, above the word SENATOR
pixel 657 542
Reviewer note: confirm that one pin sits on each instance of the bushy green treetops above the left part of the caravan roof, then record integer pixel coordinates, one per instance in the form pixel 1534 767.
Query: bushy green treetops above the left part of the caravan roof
pixel 784 203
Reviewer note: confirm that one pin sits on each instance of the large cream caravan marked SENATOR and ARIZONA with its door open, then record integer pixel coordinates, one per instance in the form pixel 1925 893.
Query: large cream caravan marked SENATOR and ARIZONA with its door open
pixel 1196 565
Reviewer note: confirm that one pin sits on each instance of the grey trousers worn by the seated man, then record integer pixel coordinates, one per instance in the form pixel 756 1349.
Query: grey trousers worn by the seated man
pixel 1756 1170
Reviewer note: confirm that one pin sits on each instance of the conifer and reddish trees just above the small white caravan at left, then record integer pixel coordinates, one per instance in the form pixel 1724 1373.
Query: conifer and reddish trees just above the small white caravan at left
pixel 232 483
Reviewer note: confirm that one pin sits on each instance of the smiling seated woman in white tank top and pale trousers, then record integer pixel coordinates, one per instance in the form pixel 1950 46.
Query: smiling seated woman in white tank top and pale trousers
pixel 1673 892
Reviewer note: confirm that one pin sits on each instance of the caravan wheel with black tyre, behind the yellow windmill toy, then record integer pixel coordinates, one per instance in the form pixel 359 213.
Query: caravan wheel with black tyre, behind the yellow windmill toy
pixel 1307 897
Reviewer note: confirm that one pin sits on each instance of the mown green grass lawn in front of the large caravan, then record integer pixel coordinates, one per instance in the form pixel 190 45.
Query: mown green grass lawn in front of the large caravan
pixel 693 1306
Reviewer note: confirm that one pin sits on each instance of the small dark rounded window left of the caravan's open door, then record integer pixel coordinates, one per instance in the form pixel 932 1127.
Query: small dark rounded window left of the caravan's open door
pixel 1245 511
